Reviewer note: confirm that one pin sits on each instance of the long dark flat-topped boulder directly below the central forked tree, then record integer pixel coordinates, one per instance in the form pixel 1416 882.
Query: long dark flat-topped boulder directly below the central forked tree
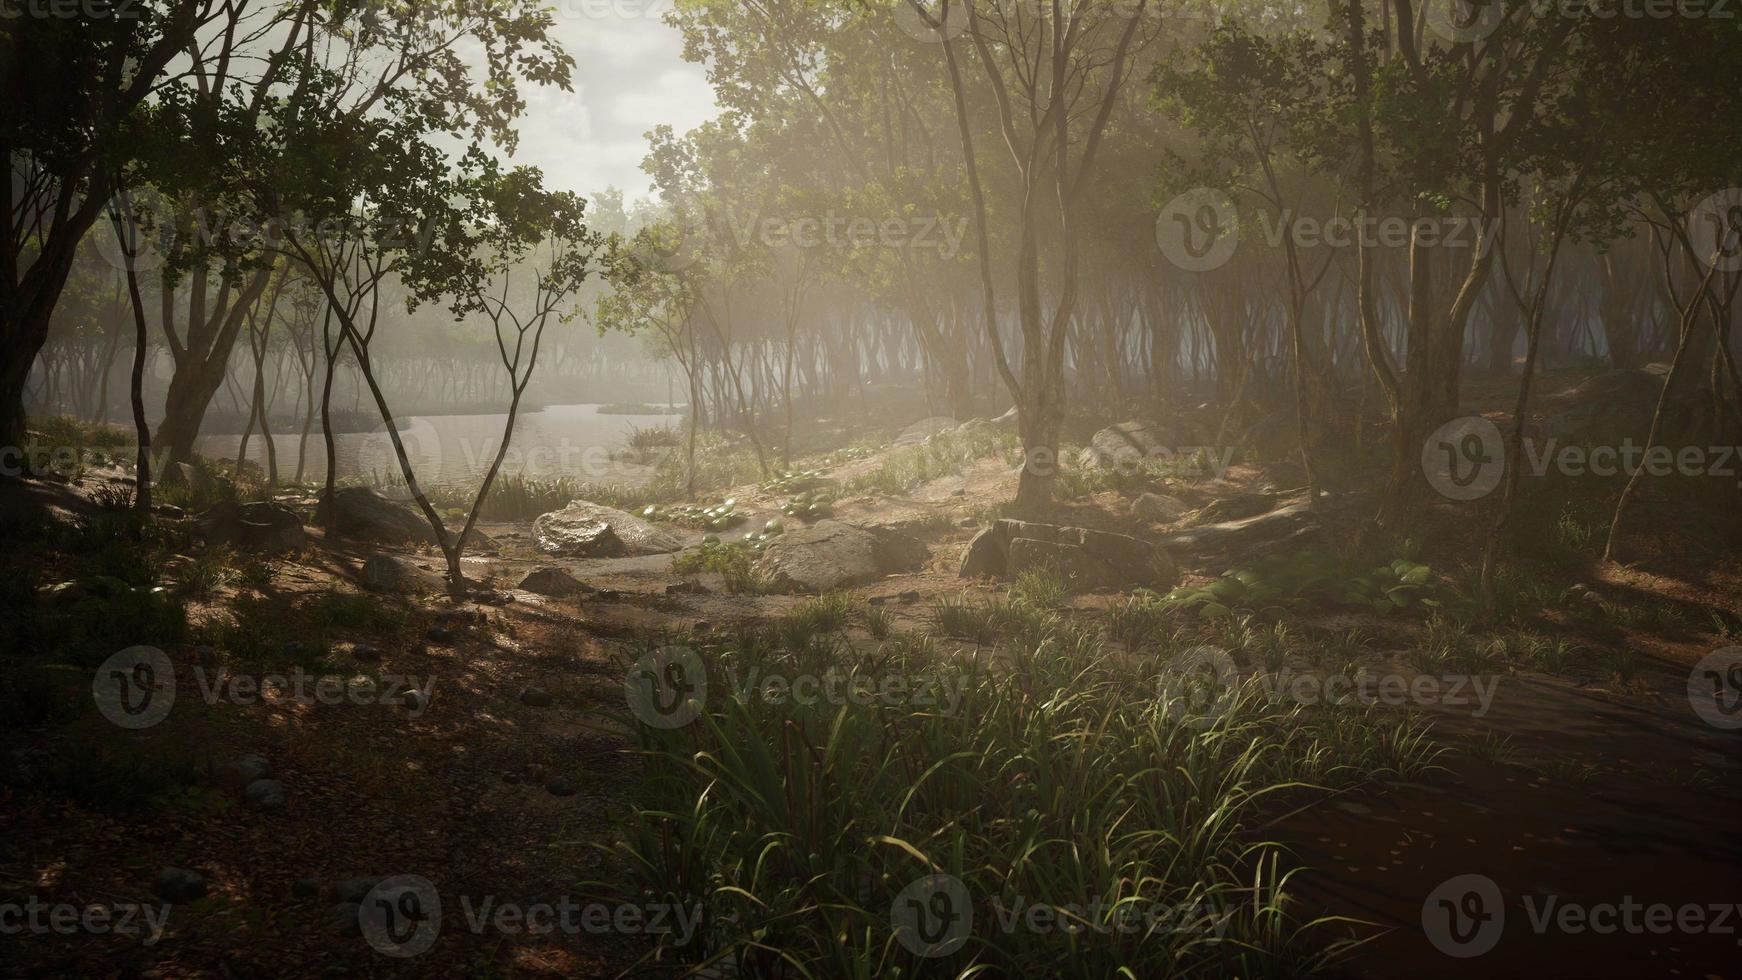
pixel 1090 560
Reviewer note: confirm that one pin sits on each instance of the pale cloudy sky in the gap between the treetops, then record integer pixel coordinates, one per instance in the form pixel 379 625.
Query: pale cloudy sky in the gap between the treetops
pixel 630 77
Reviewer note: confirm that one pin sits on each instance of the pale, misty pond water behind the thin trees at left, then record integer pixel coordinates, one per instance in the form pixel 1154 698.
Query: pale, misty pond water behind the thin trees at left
pixel 558 441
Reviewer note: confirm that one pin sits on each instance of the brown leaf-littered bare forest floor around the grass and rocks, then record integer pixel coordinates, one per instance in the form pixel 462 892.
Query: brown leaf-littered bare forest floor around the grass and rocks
pixel 1591 782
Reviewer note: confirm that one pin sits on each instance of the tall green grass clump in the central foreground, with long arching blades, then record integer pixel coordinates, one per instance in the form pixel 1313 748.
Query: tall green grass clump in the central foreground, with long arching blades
pixel 1060 781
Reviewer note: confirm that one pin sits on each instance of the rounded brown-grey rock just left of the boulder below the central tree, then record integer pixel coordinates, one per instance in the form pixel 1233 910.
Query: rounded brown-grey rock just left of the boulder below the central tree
pixel 832 554
